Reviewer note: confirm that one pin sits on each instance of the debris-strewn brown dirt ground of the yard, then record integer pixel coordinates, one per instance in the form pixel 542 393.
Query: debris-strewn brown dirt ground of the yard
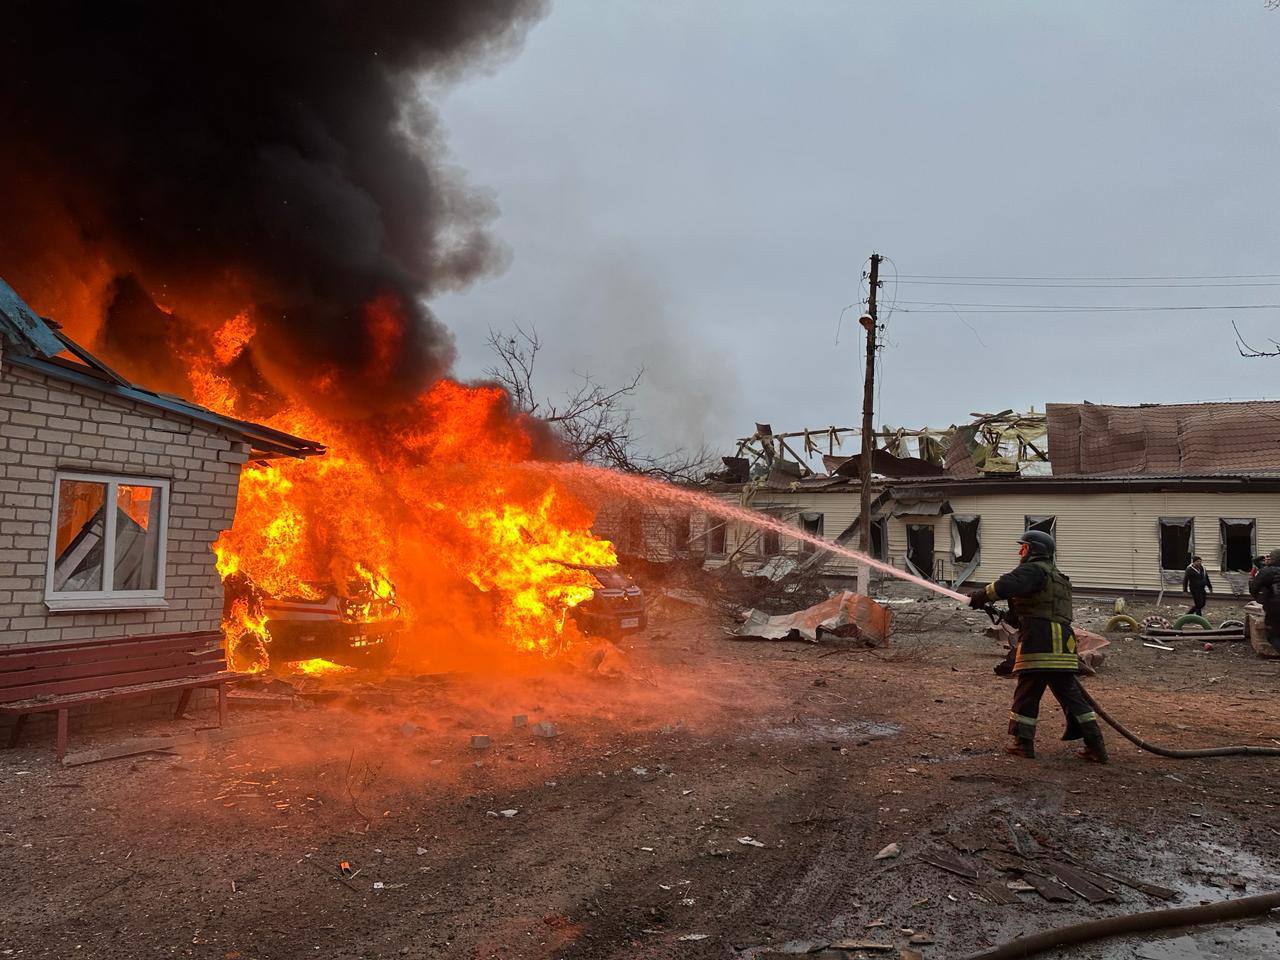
pixel 706 798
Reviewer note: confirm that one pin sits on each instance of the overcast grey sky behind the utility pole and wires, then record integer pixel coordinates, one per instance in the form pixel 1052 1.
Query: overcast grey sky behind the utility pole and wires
pixel 696 188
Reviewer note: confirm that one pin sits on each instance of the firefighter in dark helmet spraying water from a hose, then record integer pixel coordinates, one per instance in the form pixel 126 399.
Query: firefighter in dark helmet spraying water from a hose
pixel 1040 605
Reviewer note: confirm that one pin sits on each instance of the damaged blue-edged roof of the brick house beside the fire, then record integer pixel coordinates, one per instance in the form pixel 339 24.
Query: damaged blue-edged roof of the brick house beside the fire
pixel 34 344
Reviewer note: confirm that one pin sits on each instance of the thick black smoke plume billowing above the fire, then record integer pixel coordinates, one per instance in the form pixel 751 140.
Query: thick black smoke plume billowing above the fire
pixel 167 163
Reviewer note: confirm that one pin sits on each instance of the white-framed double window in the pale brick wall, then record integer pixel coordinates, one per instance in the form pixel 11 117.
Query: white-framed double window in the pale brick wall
pixel 108 541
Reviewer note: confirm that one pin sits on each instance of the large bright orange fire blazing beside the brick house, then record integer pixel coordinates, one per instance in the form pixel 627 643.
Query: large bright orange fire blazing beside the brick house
pixel 426 510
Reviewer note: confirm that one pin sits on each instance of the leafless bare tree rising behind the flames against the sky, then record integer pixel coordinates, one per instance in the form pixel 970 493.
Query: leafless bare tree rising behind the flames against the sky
pixel 595 420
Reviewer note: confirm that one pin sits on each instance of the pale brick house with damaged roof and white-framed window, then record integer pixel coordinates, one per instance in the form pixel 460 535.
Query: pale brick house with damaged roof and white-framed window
pixel 111 495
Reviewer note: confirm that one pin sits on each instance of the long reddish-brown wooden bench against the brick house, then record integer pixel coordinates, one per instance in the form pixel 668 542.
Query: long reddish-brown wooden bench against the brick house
pixel 51 678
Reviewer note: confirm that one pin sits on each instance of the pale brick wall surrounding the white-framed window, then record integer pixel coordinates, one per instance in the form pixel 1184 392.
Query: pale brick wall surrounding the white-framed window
pixel 49 426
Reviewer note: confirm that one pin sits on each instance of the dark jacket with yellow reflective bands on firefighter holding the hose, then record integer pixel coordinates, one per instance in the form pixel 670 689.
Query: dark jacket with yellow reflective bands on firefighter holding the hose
pixel 1040 598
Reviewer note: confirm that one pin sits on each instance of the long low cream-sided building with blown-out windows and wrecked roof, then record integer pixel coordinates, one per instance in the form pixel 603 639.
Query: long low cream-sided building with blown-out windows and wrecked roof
pixel 1132 495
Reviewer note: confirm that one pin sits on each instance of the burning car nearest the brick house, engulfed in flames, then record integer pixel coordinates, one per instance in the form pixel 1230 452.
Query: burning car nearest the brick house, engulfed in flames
pixel 360 629
